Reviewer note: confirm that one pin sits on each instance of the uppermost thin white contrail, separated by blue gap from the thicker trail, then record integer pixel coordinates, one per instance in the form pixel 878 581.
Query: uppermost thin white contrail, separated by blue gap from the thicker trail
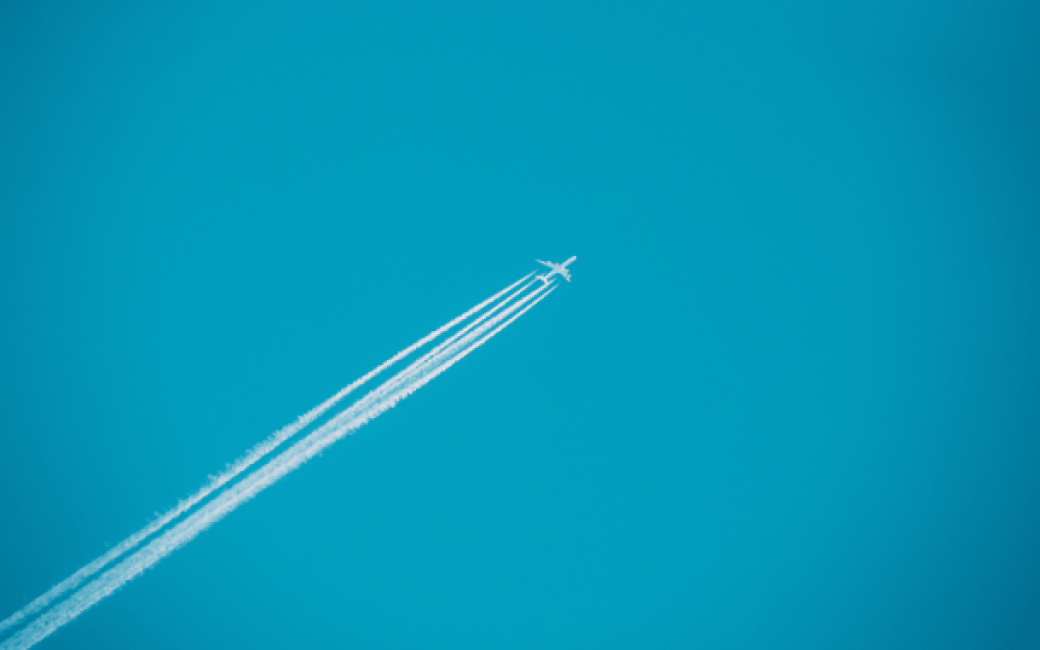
pixel 233 471
